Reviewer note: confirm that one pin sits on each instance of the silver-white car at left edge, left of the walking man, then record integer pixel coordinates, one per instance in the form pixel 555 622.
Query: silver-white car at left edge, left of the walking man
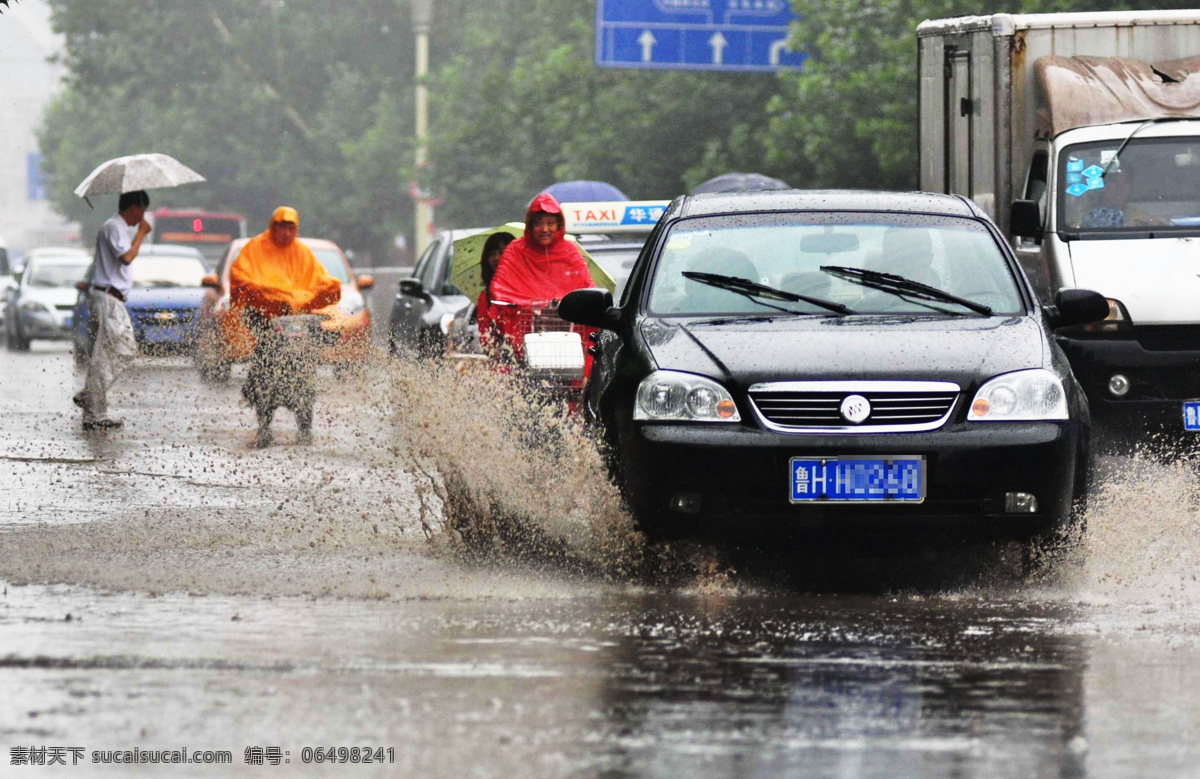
pixel 43 304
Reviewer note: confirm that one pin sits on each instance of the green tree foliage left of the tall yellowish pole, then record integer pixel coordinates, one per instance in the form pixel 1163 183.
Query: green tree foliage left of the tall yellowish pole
pixel 305 103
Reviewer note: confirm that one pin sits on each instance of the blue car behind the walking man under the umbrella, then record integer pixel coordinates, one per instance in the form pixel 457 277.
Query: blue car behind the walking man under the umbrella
pixel 164 303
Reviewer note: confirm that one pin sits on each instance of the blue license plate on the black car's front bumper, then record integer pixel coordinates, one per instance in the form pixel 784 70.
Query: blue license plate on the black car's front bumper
pixel 859 480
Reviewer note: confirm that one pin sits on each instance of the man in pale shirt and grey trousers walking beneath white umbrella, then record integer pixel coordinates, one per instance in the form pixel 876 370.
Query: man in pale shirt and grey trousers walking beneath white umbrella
pixel 117 247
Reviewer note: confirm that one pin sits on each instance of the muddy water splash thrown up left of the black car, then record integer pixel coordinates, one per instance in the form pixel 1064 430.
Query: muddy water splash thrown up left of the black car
pixel 517 474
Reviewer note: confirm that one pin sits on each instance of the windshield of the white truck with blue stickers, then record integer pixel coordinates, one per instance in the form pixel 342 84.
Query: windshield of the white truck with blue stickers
pixel 1154 185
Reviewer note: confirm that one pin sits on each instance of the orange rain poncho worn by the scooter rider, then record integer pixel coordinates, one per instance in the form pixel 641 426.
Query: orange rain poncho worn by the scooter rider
pixel 278 281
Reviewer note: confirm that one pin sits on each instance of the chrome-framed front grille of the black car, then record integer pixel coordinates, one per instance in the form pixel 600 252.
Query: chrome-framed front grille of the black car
pixel 815 406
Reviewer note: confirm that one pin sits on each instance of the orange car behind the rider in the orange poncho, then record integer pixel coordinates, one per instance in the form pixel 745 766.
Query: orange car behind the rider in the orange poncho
pixel 223 339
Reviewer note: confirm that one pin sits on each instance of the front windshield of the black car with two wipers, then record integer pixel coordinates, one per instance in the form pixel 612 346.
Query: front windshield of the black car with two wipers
pixel 835 259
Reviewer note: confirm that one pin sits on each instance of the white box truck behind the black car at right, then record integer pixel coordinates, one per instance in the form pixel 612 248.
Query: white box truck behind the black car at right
pixel 1081 135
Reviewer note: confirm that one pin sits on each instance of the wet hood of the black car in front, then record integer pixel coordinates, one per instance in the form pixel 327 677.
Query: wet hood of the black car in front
pixel 745 352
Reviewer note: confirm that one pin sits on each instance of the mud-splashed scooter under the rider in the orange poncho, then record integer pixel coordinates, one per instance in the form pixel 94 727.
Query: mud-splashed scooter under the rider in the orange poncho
pixel 284 374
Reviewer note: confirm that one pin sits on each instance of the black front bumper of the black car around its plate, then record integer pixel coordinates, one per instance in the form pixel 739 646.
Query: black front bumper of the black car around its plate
pixel 741 476
